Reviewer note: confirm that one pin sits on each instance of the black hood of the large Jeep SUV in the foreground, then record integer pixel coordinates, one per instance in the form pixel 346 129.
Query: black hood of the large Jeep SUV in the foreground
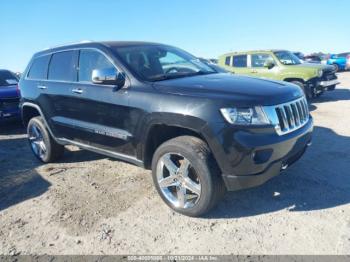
pixel 242 89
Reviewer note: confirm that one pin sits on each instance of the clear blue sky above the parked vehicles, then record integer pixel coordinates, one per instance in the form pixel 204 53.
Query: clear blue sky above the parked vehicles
pixel 205 28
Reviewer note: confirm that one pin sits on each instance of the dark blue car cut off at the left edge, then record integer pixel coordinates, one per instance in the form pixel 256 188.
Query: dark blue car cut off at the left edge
pixel 9 96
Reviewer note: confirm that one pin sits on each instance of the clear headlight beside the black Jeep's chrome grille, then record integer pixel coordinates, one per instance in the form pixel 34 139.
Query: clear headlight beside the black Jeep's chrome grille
pixel 245 116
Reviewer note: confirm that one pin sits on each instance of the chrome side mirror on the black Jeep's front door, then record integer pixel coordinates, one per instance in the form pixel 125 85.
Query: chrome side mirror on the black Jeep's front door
pixel 108 76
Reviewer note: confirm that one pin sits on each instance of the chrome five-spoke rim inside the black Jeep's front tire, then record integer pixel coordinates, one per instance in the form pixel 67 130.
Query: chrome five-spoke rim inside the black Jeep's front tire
pixel 178 181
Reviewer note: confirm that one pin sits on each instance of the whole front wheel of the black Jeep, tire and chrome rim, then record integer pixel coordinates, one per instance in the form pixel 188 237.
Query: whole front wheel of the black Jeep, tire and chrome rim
pixel 186 176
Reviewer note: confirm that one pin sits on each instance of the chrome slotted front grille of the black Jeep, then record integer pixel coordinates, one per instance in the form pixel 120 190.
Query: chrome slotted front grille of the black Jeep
pixel 289 116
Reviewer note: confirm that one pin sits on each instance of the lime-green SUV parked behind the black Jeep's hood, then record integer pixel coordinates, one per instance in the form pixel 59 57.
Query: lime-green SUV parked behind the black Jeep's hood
pixel 282 65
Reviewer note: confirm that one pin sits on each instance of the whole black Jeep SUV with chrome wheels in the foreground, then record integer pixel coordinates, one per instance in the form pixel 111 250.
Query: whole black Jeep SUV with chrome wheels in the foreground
pixel 156 106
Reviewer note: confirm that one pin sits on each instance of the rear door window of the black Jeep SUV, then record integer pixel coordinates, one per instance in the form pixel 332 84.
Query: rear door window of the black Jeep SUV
pixel 63 66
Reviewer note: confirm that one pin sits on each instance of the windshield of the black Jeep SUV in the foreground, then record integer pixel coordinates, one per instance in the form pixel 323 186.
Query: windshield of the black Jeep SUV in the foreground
pixel 156 63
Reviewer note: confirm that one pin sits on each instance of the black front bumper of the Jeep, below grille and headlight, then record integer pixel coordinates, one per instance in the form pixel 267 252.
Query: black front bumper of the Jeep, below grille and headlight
pixel 255 157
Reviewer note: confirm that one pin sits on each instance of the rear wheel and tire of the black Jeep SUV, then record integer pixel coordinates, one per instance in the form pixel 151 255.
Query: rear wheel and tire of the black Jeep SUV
pixel 44 147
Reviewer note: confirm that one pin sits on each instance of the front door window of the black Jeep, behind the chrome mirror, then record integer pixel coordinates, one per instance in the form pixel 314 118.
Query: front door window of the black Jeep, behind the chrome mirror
pixel 90 60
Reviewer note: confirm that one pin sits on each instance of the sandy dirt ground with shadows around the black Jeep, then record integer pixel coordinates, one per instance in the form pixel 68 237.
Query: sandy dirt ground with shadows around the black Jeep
pixel 90 204
